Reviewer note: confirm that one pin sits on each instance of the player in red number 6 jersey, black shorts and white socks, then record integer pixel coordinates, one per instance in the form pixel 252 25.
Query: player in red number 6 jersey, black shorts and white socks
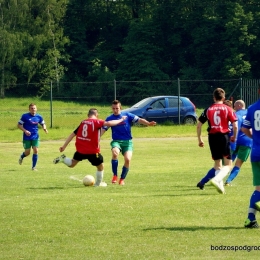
pixel 218 116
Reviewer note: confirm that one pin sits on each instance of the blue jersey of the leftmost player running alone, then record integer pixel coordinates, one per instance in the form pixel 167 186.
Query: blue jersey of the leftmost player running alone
pixel 30 123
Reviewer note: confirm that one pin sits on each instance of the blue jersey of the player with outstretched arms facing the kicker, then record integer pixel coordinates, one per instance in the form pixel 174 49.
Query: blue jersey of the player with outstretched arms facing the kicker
pixel 122 131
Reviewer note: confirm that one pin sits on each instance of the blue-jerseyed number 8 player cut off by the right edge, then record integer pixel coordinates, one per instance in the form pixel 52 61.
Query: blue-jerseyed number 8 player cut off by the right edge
pixel 251 127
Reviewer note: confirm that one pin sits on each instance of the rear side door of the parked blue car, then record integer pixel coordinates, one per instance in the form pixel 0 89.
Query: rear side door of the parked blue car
pixel 173 109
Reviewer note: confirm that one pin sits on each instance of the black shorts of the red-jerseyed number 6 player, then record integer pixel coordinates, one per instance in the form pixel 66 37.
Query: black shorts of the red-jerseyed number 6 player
pixel 219 146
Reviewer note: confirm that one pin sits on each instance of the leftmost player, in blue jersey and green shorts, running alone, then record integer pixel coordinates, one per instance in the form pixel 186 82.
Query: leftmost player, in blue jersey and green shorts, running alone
pixel 29 125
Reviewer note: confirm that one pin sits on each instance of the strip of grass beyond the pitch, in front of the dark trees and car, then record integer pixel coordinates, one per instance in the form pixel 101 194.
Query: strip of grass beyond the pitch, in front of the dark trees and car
pixel 66 116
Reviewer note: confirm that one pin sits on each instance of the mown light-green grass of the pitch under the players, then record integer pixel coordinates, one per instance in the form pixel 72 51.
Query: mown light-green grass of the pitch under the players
pixel 158 214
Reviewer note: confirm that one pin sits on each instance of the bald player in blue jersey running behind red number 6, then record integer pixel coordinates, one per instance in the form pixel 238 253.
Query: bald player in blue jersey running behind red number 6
pixel 243 142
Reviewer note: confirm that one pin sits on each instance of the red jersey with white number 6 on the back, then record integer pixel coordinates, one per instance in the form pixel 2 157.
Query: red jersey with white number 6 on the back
pixel 218 116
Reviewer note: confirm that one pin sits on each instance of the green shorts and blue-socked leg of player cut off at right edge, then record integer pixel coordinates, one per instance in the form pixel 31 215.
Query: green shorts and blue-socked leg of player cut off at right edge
pixel 254 204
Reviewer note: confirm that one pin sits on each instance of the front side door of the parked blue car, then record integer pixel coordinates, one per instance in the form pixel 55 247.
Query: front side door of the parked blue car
pixel 157 111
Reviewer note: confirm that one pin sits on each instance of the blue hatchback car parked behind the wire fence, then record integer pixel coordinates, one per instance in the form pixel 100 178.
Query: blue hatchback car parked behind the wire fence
pixel 165 108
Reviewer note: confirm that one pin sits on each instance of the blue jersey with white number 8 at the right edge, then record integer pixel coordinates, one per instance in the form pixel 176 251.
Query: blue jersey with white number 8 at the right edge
pixel 252 120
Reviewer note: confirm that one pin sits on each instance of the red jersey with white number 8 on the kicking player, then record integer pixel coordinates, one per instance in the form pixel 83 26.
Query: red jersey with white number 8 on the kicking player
pixel 88 136
